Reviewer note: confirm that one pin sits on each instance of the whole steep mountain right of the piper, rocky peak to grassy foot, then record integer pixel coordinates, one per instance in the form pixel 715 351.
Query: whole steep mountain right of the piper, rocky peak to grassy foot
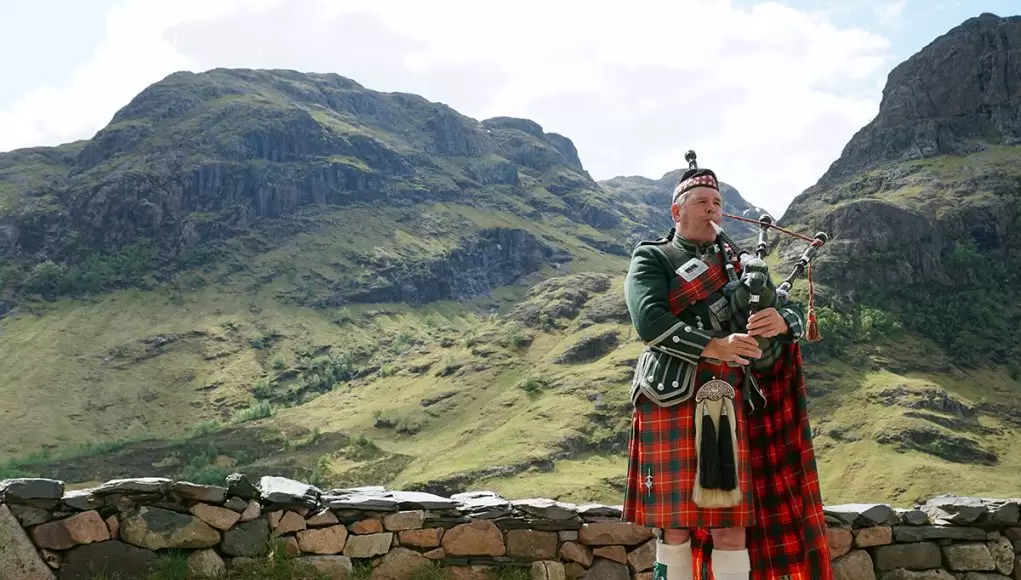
pixel 919 279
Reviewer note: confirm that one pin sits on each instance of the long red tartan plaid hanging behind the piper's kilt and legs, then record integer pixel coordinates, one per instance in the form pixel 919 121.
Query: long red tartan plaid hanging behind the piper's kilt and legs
pixel 790 537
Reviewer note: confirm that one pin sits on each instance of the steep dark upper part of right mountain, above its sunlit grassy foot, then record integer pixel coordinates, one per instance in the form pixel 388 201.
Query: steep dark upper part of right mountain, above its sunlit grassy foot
pixel 922 208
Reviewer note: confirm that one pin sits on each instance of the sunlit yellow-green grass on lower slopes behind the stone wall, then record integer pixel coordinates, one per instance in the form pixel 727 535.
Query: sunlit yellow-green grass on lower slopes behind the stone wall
pixel 450 396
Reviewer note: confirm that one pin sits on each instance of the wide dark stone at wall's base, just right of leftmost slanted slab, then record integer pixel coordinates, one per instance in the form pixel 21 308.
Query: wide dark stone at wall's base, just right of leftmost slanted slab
pixel 115 559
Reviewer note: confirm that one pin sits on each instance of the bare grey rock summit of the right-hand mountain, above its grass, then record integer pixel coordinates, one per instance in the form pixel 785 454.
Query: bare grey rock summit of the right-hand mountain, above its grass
pixel 959 95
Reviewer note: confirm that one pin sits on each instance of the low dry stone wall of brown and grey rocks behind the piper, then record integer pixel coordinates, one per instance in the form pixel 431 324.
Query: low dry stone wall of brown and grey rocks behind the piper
pixel 124 527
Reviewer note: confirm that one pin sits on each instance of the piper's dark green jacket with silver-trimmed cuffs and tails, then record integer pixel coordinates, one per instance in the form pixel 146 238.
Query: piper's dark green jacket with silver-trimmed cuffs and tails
pixel 665 372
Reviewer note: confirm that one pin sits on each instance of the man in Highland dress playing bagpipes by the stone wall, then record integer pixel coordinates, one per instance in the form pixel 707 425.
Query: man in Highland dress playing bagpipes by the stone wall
pixel 721 462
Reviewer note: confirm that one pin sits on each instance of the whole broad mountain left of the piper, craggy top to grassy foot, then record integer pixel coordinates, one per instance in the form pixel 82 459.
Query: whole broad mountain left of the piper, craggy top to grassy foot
pixel 285 271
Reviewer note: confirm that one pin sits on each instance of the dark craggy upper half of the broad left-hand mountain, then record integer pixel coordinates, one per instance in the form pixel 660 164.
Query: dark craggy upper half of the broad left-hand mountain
pixel 197 161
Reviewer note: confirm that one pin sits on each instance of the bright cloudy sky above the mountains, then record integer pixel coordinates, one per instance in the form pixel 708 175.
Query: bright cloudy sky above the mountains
pixel 767 93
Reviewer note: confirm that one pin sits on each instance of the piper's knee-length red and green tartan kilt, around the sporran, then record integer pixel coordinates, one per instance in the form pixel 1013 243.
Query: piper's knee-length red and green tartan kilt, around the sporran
pixel 663 442
